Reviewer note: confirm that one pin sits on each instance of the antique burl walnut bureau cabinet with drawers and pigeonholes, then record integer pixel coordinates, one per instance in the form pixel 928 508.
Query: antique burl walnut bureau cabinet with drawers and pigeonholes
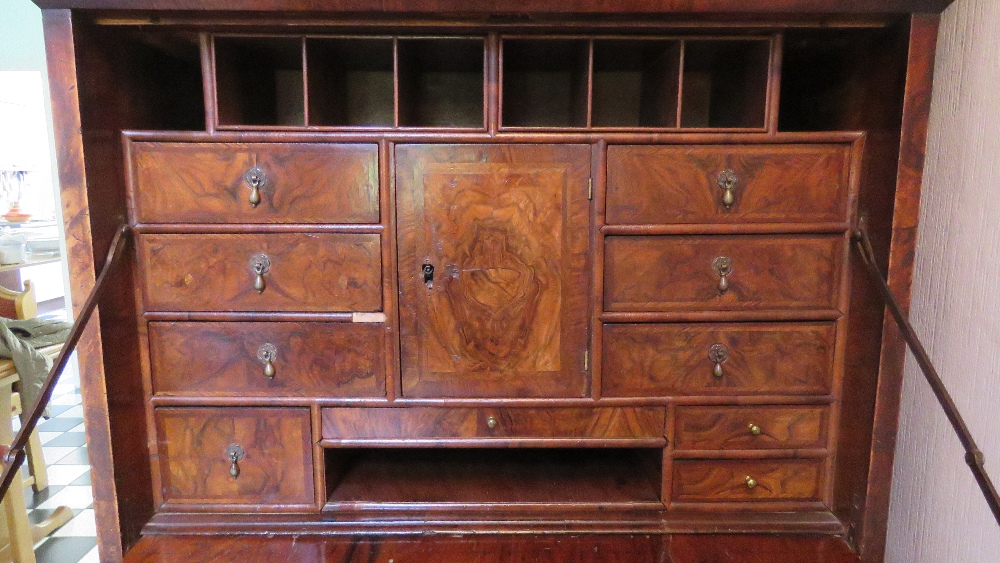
pixel 463 267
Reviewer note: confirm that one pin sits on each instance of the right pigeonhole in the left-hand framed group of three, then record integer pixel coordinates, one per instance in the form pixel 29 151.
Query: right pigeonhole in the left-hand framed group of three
pixel 441 82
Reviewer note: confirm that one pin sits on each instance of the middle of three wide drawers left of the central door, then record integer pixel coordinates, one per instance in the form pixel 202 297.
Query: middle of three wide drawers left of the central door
pixel 310 272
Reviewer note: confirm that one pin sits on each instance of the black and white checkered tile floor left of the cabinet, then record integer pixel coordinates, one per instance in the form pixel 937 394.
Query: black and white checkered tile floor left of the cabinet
pixel 65 450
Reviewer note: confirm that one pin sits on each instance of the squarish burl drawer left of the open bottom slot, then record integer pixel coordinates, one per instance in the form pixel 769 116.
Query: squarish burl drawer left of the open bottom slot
pixel 276 469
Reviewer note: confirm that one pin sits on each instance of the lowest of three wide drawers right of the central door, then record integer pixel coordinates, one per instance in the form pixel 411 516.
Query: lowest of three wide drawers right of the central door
pixel 641 360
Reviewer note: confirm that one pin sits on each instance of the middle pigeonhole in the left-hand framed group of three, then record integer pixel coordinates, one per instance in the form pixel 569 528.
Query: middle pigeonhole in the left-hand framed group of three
pixel 350 82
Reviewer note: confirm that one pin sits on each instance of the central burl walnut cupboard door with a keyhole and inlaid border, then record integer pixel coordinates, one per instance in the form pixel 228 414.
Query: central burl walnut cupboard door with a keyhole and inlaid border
pixel 493 269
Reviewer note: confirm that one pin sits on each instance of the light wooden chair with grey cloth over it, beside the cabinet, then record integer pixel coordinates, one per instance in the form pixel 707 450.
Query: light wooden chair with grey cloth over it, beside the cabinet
pixel 21 535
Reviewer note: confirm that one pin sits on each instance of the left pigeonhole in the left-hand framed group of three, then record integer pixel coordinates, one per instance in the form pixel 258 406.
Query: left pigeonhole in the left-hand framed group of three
pixel 259 81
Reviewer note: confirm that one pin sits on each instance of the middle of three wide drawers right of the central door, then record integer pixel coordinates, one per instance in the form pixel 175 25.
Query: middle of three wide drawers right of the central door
pixel 668 273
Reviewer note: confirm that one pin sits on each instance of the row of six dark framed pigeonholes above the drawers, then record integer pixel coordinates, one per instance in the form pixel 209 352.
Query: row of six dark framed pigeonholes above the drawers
pixel 393 82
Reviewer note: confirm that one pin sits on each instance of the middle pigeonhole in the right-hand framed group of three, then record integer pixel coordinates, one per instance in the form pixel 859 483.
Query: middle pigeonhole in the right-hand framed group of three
pixel 635 83
